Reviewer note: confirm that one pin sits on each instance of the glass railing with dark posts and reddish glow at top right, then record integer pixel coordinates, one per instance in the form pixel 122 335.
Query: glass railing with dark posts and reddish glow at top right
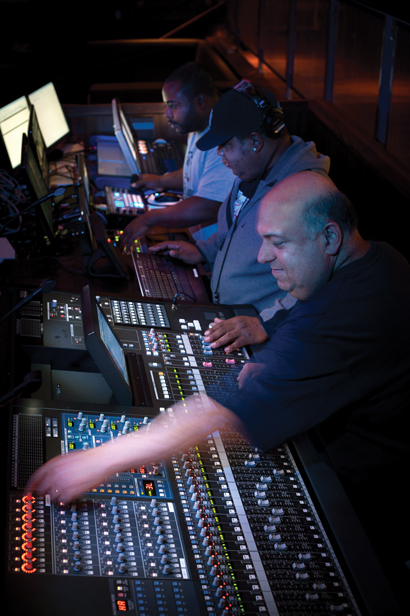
pixel 343 51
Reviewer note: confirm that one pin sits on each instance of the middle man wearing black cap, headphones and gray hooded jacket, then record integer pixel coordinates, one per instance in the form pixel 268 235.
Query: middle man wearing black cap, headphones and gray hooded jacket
pixel 247 127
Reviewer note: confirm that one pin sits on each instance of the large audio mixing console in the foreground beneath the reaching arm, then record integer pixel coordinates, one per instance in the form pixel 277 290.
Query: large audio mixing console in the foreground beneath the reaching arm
pixel 217 529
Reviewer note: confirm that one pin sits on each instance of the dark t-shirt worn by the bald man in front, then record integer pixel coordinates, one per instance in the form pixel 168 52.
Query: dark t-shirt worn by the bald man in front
pixel 340 363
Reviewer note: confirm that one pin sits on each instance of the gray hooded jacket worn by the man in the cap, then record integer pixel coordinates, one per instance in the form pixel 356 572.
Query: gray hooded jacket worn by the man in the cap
pixel 231 253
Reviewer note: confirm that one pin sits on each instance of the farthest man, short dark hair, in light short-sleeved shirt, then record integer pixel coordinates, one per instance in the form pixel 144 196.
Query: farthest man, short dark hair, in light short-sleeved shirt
pixel 189 94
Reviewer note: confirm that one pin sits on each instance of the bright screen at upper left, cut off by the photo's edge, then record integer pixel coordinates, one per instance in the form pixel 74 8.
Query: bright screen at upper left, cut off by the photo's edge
pixel 14 122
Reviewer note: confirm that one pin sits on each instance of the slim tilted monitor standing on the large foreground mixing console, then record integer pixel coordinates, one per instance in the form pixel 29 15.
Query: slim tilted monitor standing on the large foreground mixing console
pixel 105 348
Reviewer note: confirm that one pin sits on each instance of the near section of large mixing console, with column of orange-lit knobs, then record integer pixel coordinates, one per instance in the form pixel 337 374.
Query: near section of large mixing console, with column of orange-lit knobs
pixel 218 529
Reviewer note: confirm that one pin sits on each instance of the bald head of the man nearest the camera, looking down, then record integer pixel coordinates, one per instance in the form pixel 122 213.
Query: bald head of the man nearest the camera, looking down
pixel 308 230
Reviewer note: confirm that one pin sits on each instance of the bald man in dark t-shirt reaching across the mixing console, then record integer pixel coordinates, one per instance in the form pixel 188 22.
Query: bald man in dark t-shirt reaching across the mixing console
pixel 338 361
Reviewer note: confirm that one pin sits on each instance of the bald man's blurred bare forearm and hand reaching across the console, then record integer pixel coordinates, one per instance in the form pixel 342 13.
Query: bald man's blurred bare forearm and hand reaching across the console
pixel 66 477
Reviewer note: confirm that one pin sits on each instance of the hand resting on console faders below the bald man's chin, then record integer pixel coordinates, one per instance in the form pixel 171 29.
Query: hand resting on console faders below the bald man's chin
pixel 236 332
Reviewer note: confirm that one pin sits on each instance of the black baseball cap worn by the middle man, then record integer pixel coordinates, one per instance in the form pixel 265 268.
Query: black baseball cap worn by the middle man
pixel 233 115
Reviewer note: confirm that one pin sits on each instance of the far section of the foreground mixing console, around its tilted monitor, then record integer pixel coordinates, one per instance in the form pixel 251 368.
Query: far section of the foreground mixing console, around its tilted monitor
pixel 174 359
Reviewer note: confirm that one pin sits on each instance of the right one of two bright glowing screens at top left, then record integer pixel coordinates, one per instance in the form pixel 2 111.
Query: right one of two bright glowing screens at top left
pixel 50 114
